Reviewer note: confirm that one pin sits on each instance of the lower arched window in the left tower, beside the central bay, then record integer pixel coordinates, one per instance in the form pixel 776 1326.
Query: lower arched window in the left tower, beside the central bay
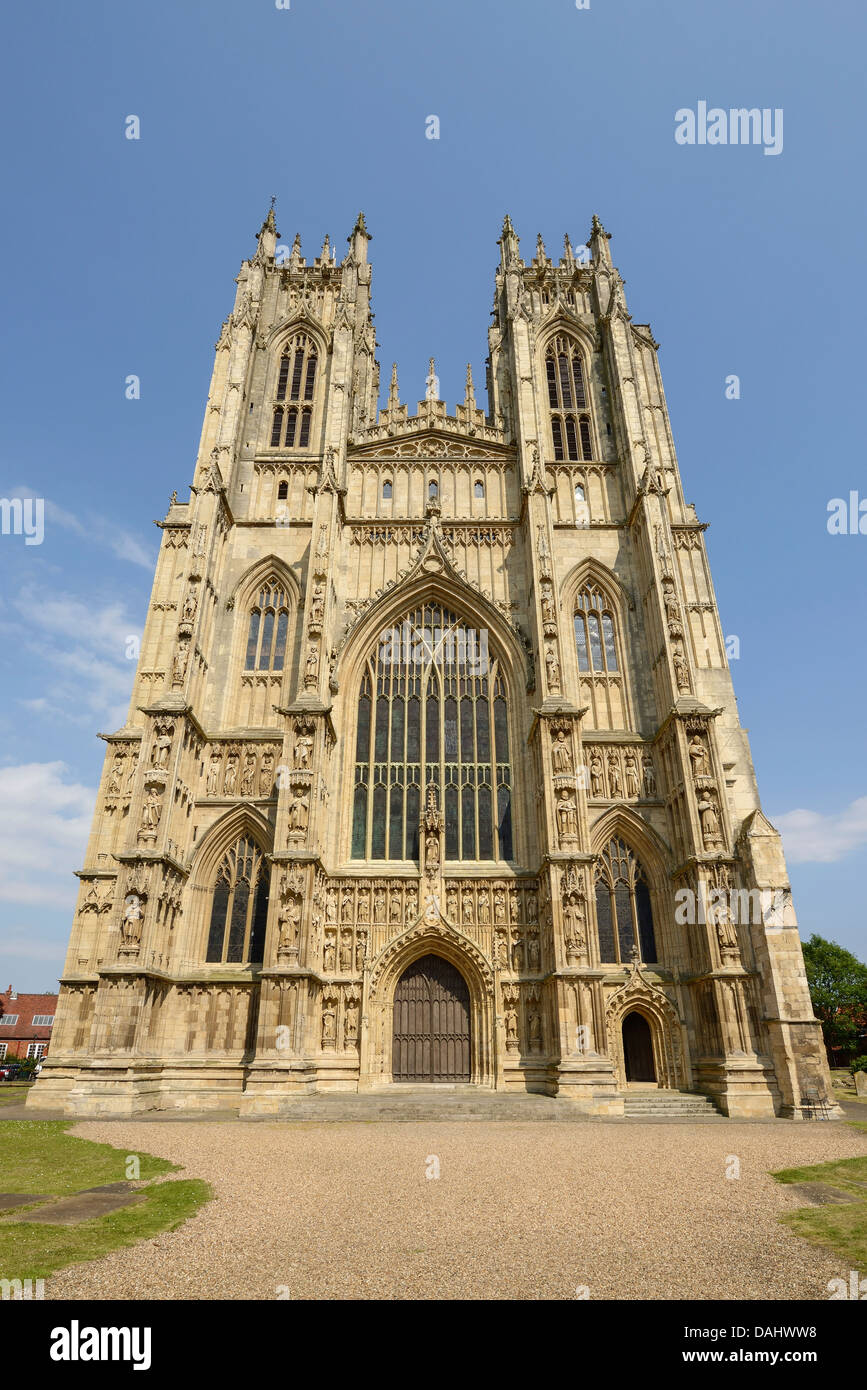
pixel 240 907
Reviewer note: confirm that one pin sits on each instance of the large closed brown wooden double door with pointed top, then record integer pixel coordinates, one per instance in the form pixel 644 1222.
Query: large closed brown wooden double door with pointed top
pixel 431 1024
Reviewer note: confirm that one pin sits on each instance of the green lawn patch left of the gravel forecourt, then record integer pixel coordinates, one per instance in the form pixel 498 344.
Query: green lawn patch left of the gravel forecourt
pixel 40 1157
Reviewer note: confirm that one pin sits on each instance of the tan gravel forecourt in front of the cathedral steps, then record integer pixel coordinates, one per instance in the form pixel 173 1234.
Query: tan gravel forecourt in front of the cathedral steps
pixel 519 1211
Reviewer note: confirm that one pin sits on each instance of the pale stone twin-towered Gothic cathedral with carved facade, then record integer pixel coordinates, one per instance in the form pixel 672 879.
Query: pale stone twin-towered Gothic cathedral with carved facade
pixel 433 769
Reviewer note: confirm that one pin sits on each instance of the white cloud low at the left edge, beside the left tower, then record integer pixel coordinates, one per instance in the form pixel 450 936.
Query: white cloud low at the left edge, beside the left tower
pixel 45 822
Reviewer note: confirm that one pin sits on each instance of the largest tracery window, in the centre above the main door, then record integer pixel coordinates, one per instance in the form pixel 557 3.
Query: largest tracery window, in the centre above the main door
pixel 433 712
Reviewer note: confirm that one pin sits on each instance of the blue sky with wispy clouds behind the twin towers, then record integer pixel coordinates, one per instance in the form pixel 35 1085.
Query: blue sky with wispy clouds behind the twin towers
pixel 120 258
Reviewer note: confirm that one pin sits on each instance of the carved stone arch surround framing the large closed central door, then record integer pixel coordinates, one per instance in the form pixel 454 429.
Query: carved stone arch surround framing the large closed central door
pixel 430 938
